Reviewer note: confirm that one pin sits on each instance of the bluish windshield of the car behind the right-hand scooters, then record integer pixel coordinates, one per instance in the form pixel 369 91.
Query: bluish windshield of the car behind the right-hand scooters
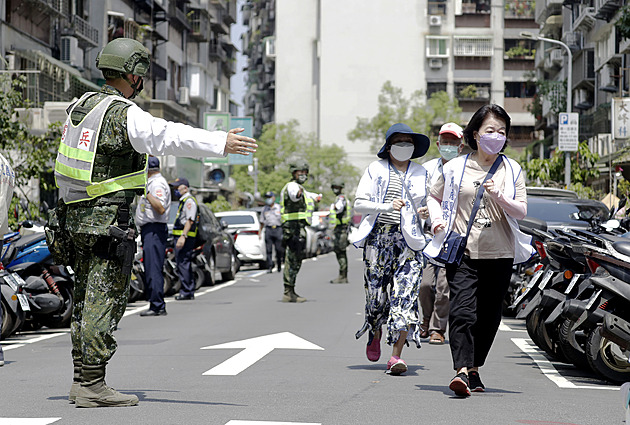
pixel 553 210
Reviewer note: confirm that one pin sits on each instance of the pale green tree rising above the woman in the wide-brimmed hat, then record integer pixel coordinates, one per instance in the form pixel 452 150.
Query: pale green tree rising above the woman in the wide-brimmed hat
pixel 394 107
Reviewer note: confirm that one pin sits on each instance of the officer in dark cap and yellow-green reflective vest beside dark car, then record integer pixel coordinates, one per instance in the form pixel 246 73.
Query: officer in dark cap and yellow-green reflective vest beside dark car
pixel 185 229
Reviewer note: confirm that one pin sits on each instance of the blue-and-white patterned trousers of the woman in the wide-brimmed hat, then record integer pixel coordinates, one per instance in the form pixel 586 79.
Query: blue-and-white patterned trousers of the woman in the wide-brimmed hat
pixel 392 280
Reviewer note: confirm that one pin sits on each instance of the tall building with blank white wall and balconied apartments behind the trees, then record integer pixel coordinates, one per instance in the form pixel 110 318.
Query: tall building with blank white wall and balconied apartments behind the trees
pixel 324 62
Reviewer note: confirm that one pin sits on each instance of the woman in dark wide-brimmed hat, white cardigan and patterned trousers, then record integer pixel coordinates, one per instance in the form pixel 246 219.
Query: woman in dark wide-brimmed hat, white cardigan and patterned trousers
pixel 391 236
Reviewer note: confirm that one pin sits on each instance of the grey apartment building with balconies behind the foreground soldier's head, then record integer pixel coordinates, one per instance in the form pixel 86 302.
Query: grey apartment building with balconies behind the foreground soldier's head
pixel 54 43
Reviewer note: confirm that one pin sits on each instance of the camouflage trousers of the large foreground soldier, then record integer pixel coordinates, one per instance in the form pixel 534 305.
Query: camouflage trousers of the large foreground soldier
pixel 100 298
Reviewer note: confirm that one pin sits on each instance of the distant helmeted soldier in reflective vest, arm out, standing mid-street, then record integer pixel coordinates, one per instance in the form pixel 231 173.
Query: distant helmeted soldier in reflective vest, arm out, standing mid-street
pixel 295 217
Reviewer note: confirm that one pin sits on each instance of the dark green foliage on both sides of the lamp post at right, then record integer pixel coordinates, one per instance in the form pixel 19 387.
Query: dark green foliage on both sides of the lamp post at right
pixel 550 172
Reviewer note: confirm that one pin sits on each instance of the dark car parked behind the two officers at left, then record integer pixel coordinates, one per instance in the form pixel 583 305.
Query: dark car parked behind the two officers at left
pixel 218 250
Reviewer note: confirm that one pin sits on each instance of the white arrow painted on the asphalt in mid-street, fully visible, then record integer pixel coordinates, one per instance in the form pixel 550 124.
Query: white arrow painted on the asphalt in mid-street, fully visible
pixel 255 349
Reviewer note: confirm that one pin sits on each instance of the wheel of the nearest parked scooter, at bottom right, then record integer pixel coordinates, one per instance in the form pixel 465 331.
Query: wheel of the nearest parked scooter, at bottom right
pixel 606 358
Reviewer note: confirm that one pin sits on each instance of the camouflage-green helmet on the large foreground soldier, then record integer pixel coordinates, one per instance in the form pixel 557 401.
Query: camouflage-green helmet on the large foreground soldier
pixel 124 55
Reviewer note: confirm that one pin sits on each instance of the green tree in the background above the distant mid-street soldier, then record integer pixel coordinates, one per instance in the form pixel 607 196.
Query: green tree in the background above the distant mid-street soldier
pixel 281 144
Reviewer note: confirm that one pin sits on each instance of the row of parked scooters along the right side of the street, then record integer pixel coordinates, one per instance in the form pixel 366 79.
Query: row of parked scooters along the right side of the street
pixel 575 296
